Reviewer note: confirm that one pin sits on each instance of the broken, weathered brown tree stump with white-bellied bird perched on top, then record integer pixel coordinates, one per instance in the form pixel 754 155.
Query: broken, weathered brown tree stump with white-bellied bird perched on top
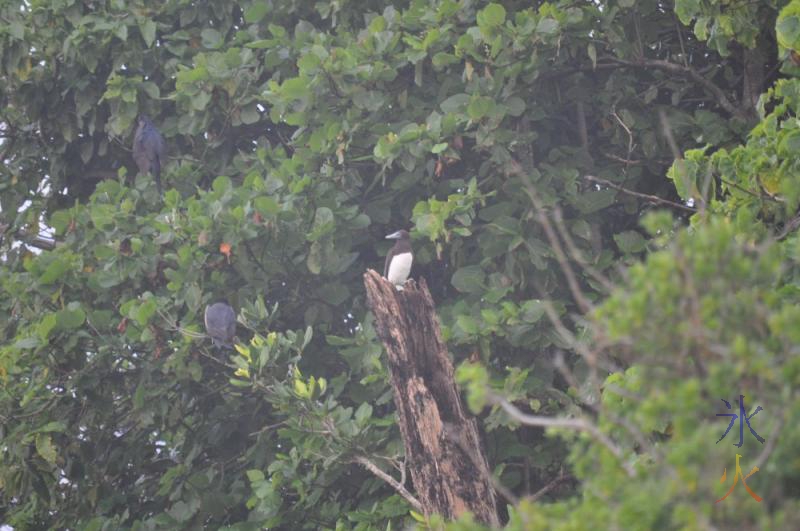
pixel 442 445
